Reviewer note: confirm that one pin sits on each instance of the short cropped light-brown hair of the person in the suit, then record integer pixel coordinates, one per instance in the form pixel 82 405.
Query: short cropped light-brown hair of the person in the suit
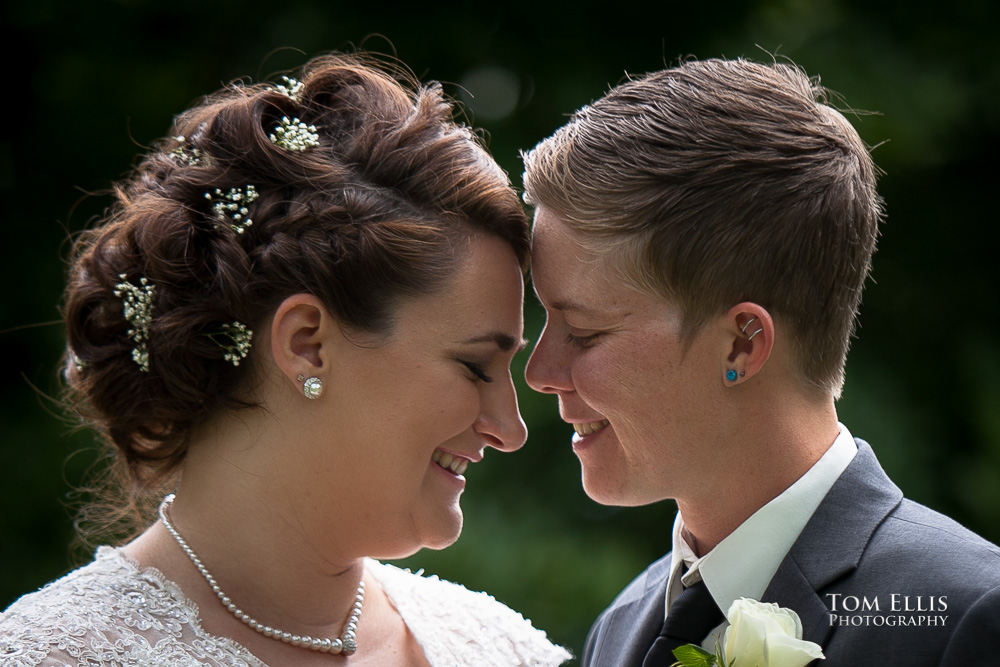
pixel 722 181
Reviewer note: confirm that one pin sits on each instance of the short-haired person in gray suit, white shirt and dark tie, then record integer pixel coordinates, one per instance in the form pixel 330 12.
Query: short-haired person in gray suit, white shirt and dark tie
pixel 701 239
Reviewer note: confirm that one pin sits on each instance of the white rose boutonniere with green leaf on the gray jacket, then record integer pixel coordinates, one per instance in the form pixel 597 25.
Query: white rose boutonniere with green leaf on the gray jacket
pixel 760 634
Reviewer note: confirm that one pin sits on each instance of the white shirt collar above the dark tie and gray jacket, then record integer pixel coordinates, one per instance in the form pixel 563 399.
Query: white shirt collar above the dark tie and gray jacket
pixel 743 563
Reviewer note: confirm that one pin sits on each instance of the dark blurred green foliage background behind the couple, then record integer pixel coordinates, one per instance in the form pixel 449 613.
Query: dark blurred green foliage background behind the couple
pixel 89 83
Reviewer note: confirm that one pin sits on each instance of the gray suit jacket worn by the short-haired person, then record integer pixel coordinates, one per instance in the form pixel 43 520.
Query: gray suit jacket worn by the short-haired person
pixel 866 576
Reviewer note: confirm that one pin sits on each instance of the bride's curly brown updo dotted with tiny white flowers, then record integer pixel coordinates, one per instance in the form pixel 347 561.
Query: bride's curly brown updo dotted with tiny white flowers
pixel 380 210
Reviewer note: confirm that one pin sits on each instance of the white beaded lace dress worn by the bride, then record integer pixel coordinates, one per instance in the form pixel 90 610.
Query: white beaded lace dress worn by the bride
pixel 110 612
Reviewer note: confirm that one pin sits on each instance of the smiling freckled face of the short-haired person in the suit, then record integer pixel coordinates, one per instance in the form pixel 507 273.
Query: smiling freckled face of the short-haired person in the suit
pixel 642 404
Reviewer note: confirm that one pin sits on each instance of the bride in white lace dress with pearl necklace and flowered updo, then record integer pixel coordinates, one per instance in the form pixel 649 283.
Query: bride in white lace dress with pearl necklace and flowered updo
pixel 299 316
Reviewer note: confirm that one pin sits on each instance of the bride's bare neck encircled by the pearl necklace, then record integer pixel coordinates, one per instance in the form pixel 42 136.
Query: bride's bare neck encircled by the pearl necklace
pixel 240 518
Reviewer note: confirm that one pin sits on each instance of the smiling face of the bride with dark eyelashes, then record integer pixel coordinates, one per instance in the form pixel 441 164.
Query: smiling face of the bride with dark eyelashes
pixel 406 416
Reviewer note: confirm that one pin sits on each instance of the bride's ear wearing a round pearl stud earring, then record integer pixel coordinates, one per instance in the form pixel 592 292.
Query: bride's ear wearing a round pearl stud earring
pixel 301 337
